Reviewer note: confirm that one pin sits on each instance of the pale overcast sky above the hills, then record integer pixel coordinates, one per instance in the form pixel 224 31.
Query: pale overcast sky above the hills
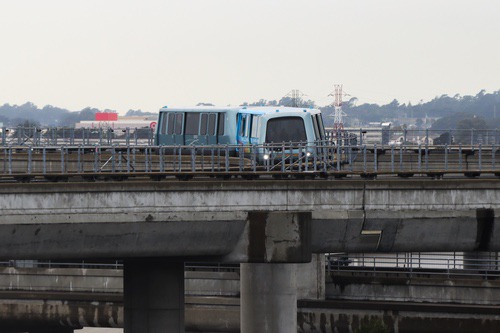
pixel 132 54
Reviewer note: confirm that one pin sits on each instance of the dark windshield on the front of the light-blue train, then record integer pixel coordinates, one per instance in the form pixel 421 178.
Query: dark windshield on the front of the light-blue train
pixel 285 129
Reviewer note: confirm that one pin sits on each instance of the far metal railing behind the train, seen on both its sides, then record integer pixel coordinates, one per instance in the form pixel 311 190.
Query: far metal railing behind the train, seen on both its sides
pixel 52 136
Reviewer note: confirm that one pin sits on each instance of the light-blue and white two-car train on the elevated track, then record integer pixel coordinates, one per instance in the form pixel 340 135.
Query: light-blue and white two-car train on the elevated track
pixel 270 128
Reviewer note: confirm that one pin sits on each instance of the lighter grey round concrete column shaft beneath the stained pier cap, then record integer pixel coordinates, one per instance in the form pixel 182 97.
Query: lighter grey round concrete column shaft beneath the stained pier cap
pixel 268 298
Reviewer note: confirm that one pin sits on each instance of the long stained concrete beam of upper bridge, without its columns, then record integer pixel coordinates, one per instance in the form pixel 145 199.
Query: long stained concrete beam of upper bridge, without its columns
pixel 214 219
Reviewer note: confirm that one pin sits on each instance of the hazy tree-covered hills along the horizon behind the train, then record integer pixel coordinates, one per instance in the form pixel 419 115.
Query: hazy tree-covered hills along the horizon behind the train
pixel 481 111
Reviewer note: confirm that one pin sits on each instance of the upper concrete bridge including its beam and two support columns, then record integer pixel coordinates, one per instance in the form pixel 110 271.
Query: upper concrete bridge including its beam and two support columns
pixel 265 225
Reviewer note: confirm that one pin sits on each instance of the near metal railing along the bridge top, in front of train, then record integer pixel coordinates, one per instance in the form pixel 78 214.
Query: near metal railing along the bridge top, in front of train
pixel 319 158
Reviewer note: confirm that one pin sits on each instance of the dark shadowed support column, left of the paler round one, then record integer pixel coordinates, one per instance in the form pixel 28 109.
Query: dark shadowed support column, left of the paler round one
pixel 153 296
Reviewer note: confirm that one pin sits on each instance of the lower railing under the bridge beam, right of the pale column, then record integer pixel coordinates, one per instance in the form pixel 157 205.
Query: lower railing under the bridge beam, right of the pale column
pixel 412 265
